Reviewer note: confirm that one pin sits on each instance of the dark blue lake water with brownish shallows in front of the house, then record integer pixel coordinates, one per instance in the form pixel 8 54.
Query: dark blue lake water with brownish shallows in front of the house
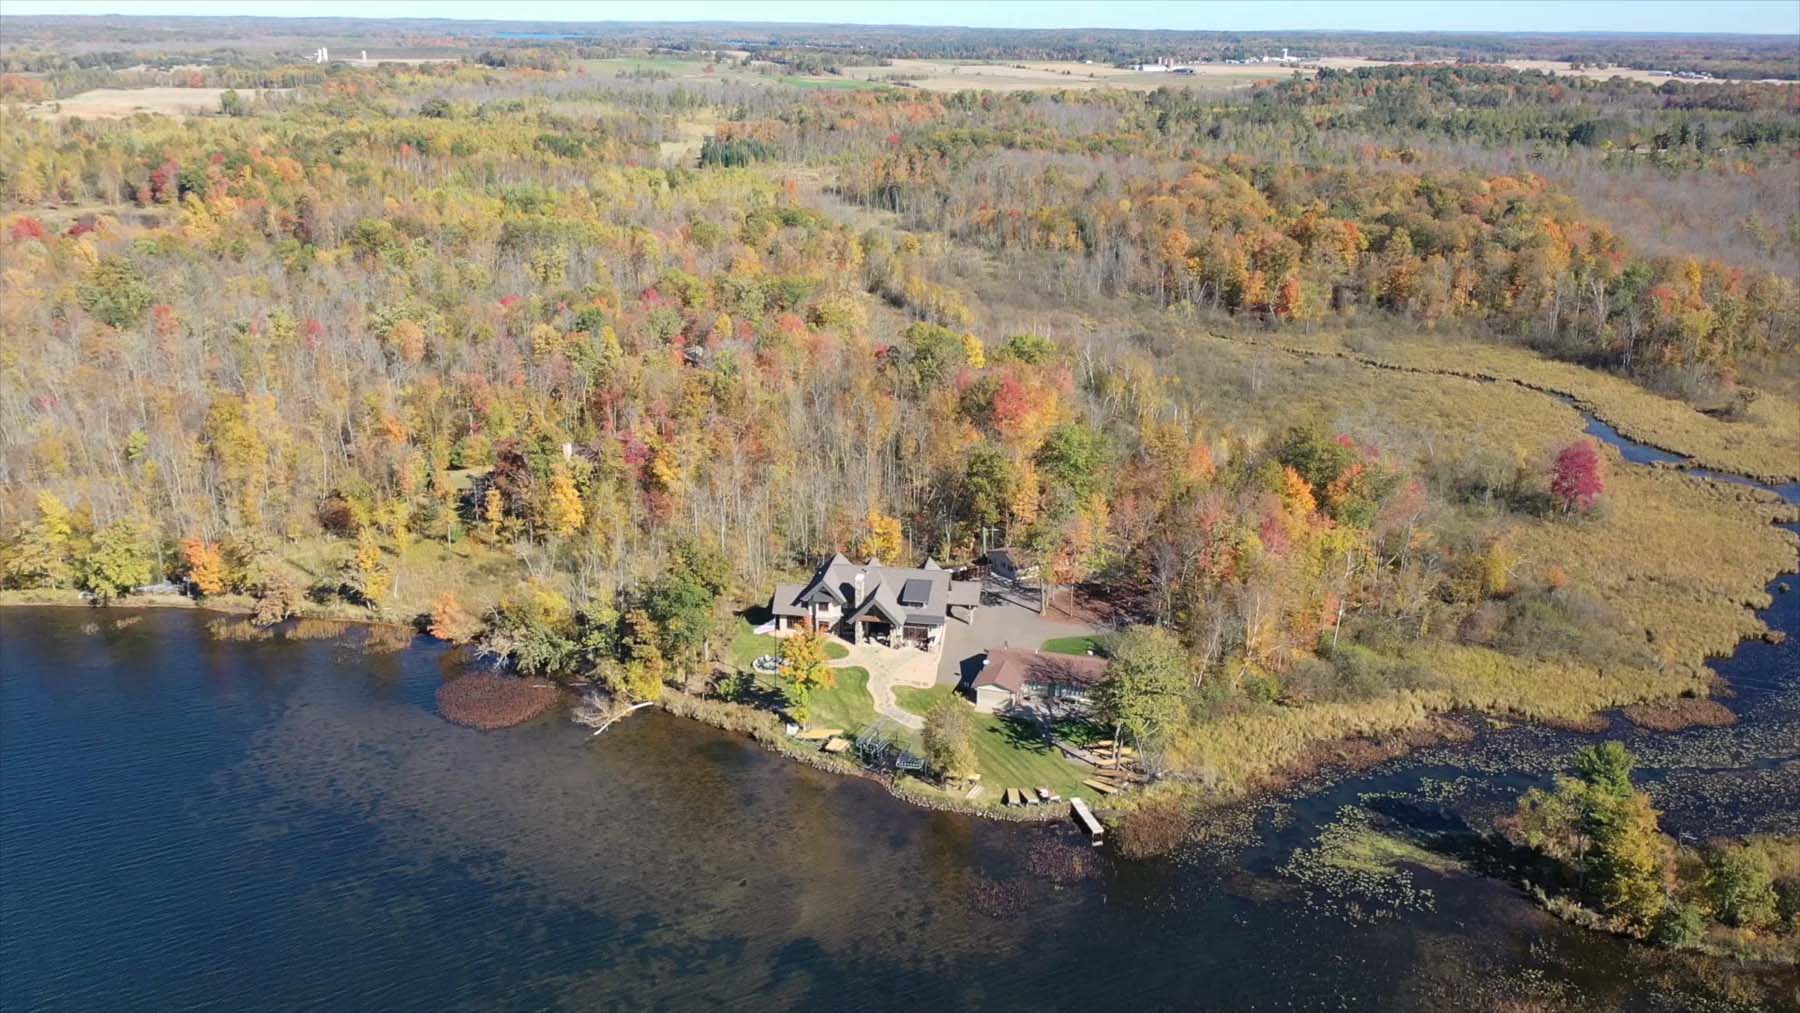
pixel 289 825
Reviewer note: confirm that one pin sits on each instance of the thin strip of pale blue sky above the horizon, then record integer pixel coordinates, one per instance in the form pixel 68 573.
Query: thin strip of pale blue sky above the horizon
pixel 1761 17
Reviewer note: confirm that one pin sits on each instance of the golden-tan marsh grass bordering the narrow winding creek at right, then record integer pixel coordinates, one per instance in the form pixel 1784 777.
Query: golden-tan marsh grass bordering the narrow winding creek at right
pixel 1677 562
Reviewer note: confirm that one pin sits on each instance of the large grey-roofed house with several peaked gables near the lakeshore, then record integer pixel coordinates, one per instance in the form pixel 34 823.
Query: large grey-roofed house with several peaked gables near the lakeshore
pixel 868 602
